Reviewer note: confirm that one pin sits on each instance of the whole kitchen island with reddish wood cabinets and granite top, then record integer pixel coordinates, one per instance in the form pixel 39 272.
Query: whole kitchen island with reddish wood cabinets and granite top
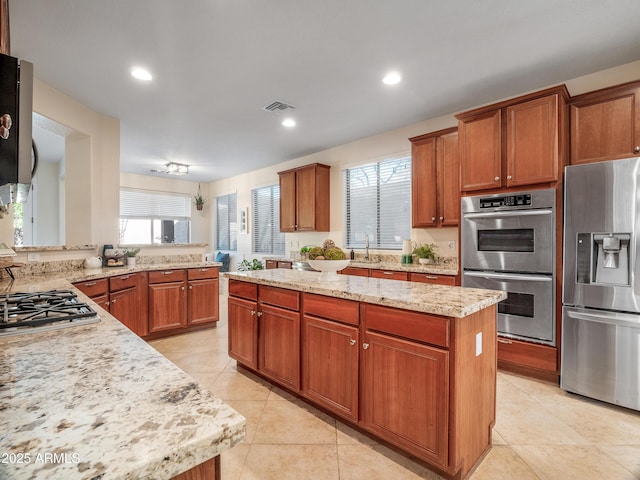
pixel 412 364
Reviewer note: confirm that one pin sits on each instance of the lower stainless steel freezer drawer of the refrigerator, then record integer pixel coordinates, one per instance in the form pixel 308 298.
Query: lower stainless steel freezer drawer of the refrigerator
pixel 601 355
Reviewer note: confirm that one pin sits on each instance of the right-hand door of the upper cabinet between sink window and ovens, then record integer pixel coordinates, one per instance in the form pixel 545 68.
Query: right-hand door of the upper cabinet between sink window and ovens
pixel 448 173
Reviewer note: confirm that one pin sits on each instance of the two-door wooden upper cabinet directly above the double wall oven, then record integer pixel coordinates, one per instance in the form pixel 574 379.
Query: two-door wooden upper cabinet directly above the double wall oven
pixel 518 142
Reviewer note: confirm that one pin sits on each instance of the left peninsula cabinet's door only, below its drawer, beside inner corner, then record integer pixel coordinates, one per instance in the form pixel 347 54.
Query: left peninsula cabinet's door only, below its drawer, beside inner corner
pixel 167 306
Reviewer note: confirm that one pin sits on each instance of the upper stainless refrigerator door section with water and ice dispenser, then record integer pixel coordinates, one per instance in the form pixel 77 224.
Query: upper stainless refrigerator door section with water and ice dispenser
pixel 601 235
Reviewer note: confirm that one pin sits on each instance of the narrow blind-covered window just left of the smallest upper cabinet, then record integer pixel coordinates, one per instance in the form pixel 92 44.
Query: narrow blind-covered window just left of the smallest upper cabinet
pixel 266 234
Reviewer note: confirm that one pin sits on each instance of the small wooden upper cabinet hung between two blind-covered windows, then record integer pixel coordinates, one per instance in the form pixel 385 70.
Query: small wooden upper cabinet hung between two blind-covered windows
pixel 304 199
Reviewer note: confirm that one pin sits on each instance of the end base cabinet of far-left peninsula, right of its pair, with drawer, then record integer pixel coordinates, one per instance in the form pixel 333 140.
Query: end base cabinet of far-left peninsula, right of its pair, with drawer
pixel 202 295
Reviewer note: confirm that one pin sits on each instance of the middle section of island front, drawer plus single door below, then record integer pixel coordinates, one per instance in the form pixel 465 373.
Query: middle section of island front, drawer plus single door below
pixel 330 352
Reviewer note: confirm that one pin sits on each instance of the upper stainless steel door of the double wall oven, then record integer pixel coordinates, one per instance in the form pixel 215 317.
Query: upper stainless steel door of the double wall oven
pixel 509 240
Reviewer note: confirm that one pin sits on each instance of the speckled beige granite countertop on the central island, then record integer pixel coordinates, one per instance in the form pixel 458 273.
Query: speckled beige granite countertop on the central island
pixel 435 299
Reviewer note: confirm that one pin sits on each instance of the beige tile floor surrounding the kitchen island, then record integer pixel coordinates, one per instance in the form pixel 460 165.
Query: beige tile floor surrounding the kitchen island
pixel 541 432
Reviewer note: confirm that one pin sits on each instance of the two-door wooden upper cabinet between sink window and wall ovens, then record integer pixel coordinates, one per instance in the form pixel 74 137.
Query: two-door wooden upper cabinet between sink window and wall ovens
pixel 435 179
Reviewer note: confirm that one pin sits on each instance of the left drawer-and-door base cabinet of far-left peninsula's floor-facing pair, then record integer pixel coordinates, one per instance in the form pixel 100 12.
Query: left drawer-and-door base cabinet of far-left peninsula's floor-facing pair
pixel 167 300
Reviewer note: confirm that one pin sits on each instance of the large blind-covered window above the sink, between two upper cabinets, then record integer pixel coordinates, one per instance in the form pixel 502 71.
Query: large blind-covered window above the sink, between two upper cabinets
pixel 378 204
